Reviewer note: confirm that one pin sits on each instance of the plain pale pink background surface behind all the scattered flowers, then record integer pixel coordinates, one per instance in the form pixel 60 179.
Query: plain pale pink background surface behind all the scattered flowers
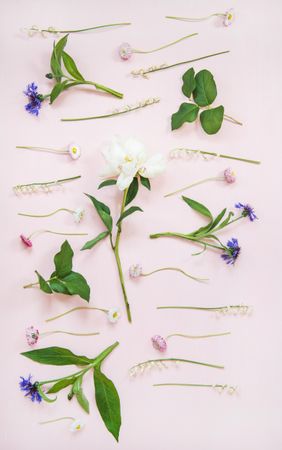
pixel 248 82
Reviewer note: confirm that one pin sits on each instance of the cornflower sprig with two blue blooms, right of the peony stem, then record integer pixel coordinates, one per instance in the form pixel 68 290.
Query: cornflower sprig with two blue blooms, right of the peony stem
pixel 206 237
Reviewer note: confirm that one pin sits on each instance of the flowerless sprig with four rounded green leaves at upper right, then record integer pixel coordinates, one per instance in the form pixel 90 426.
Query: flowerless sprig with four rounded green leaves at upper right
pixel 203 89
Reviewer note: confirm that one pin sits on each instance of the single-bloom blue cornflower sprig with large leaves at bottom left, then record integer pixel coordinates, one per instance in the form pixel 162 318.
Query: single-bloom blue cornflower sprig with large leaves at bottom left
pixel 106 395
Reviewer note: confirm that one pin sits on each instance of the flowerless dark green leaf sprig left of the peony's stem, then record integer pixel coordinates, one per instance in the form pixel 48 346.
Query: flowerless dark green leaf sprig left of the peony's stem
pixel 63 280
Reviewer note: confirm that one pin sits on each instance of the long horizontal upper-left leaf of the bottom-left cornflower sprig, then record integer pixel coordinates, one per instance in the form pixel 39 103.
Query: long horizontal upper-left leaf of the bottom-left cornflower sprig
pixel 56 356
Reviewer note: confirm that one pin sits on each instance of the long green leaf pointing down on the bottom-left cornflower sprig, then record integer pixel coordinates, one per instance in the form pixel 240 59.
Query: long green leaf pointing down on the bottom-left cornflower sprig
pixel 108 402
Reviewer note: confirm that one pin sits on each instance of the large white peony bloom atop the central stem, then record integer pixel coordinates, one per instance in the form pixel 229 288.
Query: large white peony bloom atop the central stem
pixel 125 159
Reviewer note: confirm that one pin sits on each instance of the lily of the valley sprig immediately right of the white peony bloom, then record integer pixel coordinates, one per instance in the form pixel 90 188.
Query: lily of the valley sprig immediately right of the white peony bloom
pixel 189 153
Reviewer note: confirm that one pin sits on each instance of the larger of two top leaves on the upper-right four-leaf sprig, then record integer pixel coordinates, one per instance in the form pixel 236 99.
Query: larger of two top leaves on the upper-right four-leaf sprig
pixel 205 91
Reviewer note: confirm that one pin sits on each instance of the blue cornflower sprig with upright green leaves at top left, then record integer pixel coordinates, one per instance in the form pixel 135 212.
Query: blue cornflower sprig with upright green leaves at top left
pixel 61 62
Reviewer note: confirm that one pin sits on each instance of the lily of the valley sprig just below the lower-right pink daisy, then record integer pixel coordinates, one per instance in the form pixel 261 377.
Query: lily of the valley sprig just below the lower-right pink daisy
pixel 162 363
